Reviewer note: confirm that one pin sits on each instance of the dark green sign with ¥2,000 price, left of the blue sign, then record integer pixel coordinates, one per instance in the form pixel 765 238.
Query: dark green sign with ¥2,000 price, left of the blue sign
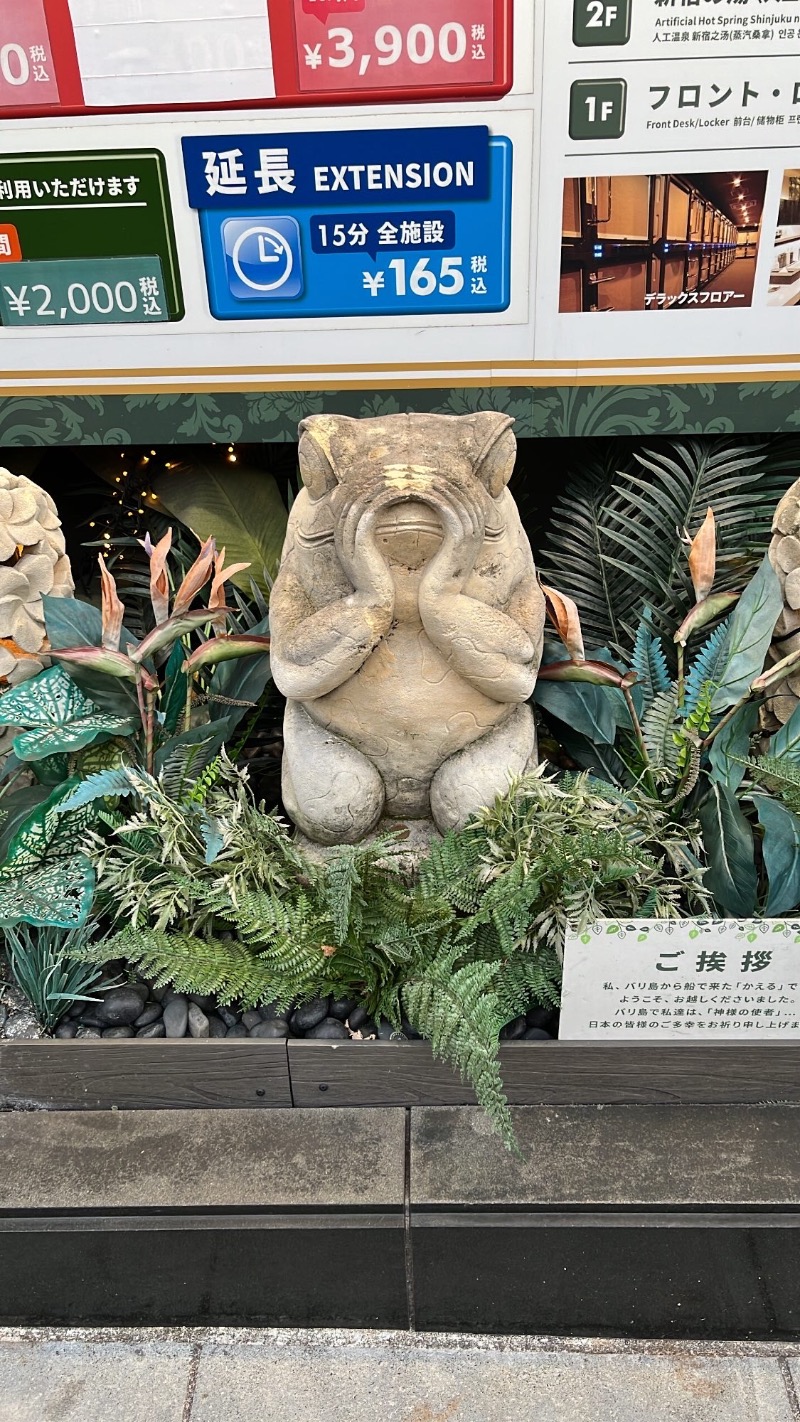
pixel 79 215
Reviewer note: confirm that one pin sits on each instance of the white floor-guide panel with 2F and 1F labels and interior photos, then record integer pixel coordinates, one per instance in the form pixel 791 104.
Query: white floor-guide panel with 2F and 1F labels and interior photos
pixel 673 133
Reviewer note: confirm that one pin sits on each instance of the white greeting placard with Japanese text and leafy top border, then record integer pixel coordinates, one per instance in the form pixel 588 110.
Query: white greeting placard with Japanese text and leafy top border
pixel 683 979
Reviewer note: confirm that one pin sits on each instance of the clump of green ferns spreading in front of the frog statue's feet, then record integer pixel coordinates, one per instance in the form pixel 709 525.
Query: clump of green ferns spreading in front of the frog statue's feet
pixel 214 897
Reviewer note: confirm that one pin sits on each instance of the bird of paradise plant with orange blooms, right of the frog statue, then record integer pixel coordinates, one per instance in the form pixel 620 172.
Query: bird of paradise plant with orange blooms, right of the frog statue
pixel 683 746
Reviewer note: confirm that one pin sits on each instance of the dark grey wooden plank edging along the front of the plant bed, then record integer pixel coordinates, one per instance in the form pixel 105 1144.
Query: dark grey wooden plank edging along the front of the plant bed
pixel 129 1076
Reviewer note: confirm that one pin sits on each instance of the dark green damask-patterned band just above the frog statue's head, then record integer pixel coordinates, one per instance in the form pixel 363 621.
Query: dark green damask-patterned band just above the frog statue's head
pixel 274 416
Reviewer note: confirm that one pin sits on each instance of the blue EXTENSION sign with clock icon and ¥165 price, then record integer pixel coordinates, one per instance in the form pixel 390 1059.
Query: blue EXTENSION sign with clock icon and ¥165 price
pixel 373 223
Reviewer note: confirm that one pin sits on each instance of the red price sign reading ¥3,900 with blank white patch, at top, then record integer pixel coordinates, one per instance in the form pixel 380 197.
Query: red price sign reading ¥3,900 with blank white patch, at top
pixel 322 50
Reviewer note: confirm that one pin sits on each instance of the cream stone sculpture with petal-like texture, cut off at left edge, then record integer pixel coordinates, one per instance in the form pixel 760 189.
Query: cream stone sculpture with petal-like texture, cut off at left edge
pixel 33 564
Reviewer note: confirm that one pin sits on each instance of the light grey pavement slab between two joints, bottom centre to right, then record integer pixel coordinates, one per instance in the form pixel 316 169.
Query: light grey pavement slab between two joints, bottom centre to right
pixel 471 1384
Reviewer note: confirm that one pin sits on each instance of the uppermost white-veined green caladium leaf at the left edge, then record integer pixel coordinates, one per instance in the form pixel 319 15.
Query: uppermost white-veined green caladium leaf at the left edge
pixel 56 716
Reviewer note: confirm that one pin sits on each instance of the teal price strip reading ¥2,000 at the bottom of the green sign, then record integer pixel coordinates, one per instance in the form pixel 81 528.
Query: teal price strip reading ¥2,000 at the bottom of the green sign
pixel 86 292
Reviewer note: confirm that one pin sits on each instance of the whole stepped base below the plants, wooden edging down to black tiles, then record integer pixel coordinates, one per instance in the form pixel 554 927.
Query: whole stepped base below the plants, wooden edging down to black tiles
pixel 146 1184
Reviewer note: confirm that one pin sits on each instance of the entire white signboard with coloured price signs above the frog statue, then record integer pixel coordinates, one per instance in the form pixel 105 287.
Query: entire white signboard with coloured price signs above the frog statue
pixel 643 169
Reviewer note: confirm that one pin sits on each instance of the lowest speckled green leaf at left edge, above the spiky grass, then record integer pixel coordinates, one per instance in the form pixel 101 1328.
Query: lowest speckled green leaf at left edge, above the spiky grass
pixel 50 895
